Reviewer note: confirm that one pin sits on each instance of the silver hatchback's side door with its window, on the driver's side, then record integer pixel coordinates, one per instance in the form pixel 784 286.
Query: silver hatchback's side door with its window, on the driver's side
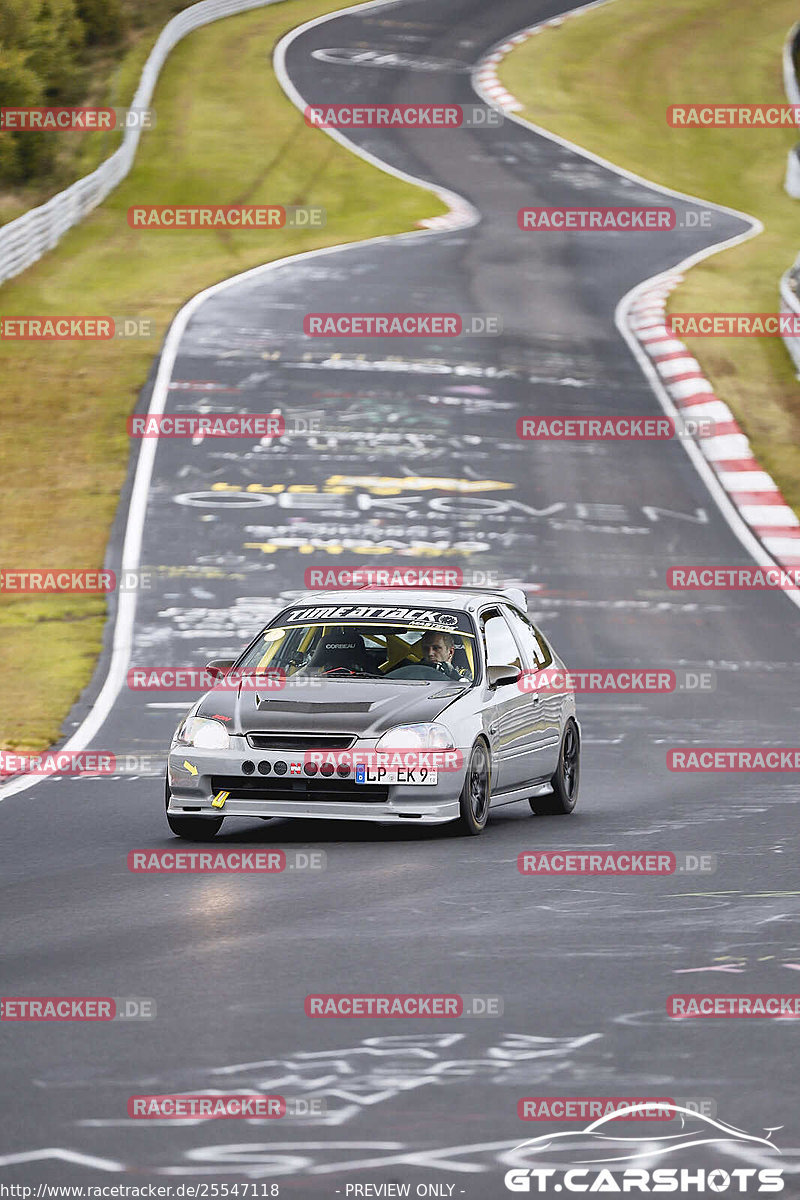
pixel 508 711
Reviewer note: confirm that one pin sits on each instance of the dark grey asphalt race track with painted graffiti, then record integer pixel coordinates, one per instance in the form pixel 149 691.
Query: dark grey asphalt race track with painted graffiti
pixel 584 965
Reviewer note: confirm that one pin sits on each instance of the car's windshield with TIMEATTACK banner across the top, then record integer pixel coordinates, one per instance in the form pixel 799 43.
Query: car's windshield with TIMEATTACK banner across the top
pixel 368 643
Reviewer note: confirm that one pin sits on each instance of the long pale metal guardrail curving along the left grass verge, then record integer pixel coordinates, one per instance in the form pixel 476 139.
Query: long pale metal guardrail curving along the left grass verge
pixel 25 241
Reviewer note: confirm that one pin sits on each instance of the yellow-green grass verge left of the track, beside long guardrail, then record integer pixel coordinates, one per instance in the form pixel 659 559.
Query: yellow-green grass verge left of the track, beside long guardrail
pixel 226 134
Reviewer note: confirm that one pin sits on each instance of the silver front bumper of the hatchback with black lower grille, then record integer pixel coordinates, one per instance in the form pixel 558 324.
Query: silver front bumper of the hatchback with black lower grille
pixel 197 777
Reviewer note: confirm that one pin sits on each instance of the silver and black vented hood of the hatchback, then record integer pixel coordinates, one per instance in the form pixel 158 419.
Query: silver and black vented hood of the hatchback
pixel 335 706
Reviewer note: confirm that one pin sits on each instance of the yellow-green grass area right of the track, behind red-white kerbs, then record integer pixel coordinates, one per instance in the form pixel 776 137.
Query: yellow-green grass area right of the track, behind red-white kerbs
pixel 604 80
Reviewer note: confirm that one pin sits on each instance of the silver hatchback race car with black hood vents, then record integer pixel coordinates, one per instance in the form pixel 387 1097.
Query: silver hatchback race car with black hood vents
pixel 387 706
